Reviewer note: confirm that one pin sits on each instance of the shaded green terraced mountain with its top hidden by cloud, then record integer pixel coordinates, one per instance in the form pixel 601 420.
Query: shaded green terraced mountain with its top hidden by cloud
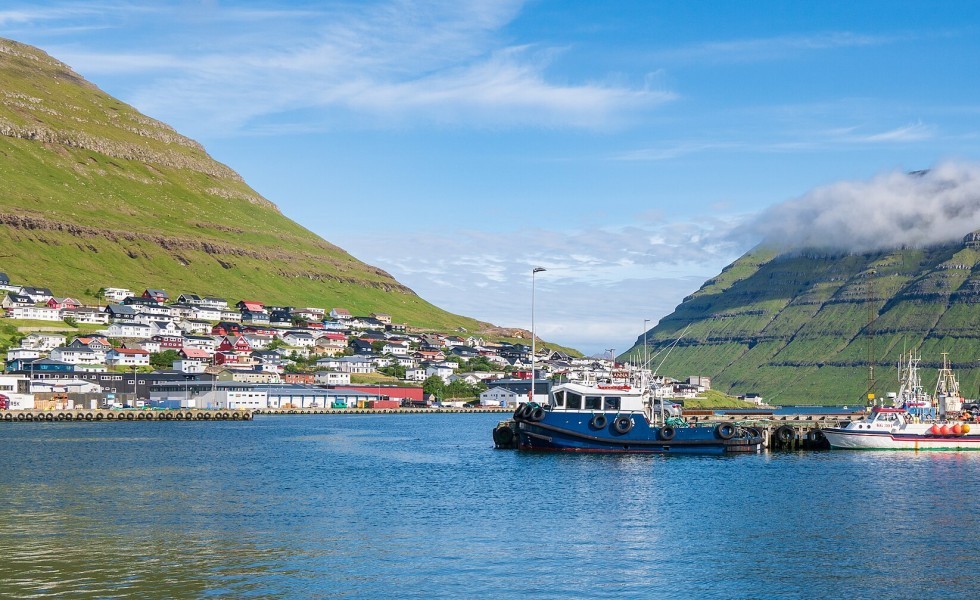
pixel 804 328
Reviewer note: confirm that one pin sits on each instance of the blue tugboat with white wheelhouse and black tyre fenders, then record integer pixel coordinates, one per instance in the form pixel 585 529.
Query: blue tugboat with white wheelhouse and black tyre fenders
pixel 615 419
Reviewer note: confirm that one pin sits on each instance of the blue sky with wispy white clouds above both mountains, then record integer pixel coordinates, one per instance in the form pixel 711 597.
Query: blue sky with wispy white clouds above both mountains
pixel 622 145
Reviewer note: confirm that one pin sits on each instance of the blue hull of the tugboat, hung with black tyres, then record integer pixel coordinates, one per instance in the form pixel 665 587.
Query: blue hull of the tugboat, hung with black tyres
pixel 577 432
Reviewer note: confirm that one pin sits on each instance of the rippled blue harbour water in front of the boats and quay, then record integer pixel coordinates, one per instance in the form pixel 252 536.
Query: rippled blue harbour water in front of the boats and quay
pixel 407 506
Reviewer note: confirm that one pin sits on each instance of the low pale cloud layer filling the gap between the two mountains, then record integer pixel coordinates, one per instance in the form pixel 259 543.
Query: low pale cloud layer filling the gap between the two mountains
pixel 599 285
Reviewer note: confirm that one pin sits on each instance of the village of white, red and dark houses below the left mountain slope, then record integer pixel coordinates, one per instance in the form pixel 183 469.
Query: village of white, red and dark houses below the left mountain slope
pixel 155 351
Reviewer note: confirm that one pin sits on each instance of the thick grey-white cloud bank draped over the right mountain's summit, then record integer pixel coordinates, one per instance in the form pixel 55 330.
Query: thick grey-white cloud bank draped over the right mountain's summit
pixel 892 210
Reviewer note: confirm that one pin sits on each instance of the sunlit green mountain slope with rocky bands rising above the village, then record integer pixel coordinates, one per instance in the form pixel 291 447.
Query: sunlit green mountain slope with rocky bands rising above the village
pixel 95 194
